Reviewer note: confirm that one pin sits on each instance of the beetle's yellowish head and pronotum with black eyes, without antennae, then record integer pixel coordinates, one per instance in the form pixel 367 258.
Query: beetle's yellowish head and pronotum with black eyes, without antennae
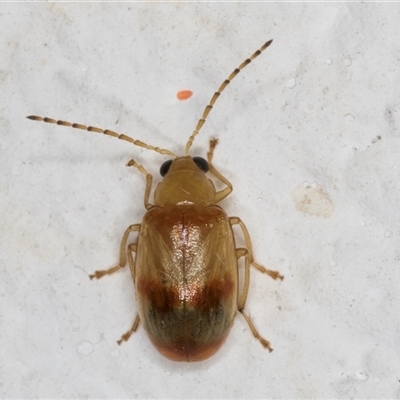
pixel 184 181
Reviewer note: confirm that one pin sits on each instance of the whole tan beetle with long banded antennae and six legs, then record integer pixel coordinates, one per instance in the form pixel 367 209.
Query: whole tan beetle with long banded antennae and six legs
pixel 185 270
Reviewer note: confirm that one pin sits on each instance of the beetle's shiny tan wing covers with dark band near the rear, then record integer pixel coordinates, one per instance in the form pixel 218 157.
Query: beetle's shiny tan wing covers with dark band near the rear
pixel 186 280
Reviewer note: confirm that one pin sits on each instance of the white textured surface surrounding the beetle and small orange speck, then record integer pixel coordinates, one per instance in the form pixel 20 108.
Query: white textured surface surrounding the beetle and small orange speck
pixel 309 137
